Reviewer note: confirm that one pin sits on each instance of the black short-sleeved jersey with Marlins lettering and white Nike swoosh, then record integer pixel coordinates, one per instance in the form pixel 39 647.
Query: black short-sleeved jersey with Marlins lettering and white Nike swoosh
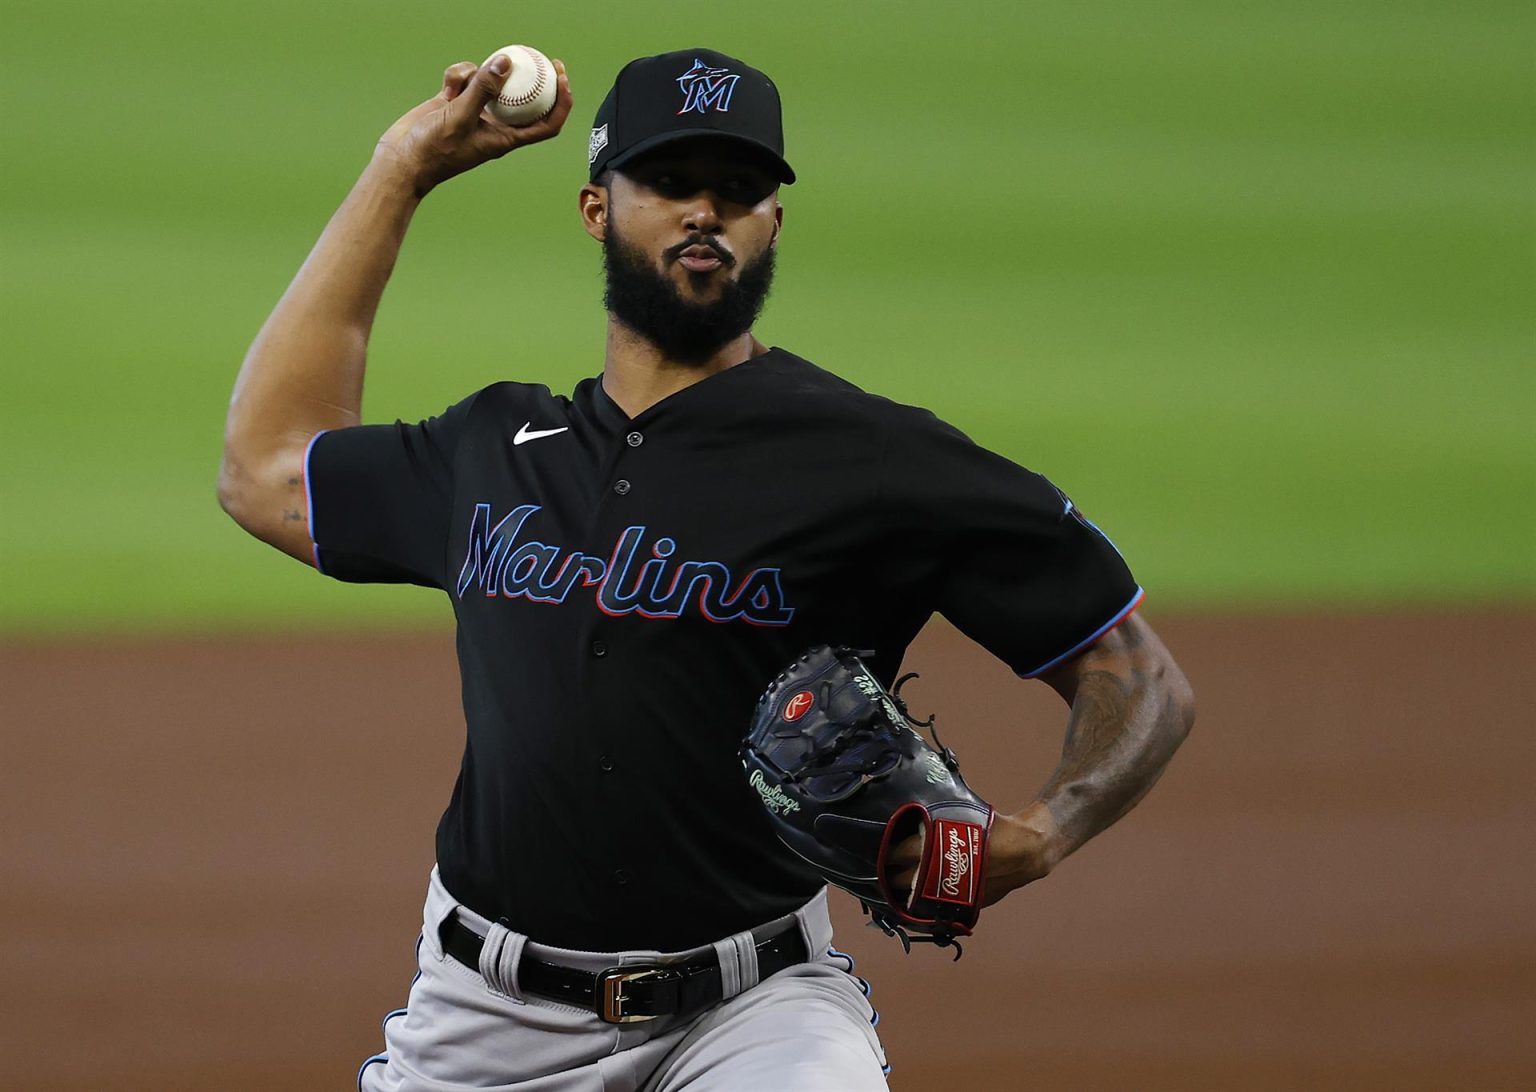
pixel 626 589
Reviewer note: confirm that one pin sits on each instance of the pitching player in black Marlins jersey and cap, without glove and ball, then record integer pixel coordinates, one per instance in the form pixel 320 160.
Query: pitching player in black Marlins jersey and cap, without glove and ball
pixel 629 566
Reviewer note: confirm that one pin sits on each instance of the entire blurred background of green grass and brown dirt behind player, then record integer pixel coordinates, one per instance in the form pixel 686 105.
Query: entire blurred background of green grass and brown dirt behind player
pixel 1251 280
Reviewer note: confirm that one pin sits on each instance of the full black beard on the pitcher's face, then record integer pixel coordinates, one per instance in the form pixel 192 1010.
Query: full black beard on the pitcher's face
pixel 650 305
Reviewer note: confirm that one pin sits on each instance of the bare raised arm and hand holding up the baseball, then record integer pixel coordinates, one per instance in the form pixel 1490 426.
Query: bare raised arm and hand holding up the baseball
pixel 305 371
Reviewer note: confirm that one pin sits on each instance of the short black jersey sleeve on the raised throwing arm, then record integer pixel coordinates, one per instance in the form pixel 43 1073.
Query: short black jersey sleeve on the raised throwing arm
pixel 380 498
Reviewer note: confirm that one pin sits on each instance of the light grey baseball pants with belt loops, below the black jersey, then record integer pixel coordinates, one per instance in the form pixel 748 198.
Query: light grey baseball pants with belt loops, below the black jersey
pixel 807 1028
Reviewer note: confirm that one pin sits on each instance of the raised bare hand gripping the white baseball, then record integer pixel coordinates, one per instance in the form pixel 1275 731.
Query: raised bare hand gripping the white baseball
pixel 454 131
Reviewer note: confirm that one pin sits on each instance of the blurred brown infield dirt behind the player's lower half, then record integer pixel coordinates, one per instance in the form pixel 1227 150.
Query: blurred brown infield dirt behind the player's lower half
pixel 216 855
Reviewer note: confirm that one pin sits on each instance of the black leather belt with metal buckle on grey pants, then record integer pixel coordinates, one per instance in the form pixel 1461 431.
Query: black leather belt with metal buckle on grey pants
pixel 637 991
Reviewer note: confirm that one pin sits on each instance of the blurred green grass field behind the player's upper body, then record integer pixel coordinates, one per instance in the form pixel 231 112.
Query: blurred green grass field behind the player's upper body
pixel 1253 282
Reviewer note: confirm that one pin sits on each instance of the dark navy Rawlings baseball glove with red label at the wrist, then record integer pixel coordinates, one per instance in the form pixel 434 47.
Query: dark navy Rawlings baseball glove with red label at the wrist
pixel 846 776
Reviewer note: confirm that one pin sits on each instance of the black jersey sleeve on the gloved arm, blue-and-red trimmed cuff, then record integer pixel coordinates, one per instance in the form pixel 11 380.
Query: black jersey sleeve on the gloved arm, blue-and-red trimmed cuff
pixel 999 551
